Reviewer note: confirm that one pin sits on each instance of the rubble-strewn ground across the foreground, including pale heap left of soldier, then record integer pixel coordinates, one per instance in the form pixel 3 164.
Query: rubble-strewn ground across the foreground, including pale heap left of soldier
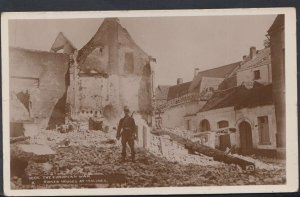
pixel 100 156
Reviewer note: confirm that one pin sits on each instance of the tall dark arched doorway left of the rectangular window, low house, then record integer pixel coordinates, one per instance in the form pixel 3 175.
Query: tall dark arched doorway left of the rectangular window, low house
pixel 246 145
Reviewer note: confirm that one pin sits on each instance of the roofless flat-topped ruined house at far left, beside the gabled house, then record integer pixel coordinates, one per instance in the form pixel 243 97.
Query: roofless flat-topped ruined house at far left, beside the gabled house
pixel 37 83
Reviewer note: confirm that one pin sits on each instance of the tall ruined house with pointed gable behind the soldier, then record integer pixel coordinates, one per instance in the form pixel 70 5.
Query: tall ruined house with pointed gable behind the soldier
pixel 109 72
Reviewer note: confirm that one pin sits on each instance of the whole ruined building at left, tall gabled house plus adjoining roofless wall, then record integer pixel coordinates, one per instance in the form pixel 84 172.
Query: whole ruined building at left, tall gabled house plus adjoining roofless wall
pixel 98 80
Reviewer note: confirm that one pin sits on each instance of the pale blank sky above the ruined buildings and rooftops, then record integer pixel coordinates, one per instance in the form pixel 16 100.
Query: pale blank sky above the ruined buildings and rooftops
pixel 179 44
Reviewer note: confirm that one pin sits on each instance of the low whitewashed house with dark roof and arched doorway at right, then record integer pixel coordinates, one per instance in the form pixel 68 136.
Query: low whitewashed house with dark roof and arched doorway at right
pixel 247 116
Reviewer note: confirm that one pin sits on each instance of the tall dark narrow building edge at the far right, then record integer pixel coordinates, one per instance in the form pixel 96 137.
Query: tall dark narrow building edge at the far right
pixel 276 35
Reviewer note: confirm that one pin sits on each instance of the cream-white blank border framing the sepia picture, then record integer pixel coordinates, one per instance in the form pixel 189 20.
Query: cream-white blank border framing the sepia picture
pixel 291 102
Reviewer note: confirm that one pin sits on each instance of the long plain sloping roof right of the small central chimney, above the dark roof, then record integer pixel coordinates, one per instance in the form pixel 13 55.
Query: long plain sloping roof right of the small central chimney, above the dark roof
pixel 219 72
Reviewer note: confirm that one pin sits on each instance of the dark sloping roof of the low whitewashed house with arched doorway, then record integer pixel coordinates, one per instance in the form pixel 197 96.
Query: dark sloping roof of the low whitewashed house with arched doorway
pixel 241 97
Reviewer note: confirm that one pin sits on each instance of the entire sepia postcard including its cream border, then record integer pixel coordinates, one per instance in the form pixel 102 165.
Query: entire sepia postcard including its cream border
pixel 185 99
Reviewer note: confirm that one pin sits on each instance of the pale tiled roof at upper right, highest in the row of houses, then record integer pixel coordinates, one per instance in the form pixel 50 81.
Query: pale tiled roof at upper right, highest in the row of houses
pixel 262 57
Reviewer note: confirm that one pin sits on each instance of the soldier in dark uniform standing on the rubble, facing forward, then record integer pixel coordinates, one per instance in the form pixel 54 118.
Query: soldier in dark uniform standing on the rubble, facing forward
pixel 127 130
